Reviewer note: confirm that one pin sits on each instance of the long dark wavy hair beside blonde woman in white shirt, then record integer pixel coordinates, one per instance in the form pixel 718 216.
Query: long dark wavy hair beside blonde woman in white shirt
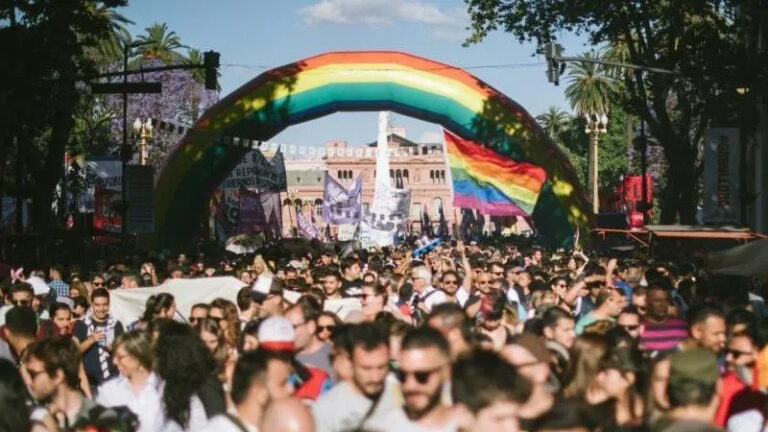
pixel 183 362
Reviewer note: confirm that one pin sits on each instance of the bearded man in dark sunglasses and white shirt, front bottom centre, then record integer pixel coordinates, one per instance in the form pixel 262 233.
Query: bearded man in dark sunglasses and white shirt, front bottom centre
pixel 425 363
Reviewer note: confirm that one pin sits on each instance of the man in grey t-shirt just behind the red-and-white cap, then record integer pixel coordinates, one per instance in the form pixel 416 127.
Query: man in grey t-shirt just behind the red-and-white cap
pixel 310 349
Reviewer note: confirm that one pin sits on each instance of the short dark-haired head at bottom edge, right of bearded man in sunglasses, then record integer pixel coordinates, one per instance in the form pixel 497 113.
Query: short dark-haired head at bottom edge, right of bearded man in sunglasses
pixel 488 393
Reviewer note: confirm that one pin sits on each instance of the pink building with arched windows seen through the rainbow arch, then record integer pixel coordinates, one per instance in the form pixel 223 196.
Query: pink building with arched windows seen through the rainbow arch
pixel 421 168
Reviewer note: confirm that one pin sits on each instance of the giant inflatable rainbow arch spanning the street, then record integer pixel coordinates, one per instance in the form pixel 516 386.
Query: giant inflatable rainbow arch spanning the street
pixel 361 81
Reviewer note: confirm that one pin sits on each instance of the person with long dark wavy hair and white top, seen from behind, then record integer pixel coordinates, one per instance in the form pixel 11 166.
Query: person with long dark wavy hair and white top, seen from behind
pixel 192 392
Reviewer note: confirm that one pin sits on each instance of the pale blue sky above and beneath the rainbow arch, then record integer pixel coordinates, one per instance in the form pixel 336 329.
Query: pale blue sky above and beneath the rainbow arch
pixel 254 35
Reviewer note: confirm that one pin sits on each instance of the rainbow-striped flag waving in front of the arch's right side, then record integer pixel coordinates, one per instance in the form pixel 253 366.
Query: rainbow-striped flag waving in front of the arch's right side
pixel 489 182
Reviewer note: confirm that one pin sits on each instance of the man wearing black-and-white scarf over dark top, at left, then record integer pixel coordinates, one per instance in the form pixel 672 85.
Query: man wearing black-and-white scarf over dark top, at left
pixel 95 334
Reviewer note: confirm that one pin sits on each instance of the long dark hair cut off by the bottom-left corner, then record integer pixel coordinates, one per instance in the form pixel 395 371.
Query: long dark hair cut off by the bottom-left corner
pixel 13 402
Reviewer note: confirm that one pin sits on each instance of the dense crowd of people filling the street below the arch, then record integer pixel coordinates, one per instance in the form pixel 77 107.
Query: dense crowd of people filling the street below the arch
pixel 476 338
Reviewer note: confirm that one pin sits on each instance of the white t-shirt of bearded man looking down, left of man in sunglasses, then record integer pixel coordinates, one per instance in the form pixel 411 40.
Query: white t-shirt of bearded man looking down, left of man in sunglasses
pixel 343 408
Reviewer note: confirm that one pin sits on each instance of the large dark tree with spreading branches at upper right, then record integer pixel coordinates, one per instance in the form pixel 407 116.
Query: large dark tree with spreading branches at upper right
pixel 700 40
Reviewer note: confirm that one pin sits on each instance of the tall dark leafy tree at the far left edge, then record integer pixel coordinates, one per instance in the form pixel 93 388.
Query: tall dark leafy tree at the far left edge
pixel 39 93
